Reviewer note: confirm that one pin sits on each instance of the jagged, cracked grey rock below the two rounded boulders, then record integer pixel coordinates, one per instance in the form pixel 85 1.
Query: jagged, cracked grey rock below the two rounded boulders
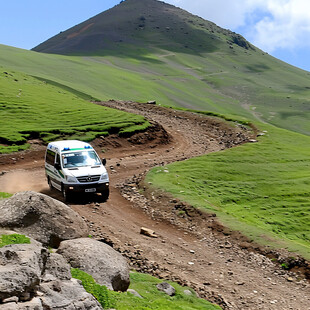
pixel 33 278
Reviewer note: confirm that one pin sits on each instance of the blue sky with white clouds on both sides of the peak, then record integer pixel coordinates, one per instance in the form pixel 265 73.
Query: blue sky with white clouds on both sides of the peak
pixel 279 27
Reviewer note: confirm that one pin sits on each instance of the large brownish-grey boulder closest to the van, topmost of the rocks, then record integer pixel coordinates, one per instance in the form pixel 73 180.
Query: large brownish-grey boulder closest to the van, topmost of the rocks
pixel 41 217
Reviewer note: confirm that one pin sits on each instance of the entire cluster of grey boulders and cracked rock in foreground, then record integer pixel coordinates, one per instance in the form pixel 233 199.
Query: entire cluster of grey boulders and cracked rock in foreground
pixel 33 278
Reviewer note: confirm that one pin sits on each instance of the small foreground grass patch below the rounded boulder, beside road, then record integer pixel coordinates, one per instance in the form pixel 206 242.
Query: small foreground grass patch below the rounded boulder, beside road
pixel 145 285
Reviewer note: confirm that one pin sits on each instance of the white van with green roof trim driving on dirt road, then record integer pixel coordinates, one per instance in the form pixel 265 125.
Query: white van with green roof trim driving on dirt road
pixel 73 166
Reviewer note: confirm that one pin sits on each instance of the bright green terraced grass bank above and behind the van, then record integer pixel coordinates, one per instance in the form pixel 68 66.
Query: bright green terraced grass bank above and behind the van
pixel 30 108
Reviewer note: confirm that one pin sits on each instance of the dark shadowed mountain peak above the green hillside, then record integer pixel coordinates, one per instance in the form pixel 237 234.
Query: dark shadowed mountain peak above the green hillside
pixel 142 24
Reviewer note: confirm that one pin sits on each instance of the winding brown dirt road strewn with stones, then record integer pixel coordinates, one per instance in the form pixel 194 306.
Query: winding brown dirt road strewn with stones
pixel 193 249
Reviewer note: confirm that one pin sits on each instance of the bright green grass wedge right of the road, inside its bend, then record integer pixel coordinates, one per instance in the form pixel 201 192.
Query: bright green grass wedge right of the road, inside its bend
pixel 262 189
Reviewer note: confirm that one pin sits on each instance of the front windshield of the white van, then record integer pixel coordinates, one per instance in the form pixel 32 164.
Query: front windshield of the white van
pixel 80 159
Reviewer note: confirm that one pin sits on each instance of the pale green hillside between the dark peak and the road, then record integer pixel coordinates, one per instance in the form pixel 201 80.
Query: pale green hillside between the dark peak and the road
pixel 234 81
